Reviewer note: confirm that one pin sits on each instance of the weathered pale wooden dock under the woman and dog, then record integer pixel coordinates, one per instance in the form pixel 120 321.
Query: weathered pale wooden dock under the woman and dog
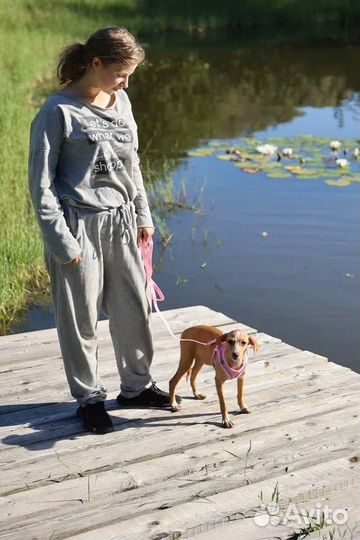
pixel 167 476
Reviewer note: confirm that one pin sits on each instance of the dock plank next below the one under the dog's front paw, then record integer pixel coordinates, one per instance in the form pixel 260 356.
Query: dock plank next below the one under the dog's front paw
pixel 238 460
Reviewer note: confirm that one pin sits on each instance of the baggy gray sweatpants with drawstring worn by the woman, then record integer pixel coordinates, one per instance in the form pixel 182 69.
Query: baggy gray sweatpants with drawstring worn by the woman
pixel 110 277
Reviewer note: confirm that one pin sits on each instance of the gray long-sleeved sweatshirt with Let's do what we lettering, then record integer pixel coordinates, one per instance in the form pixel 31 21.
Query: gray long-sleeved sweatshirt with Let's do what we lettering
pixel 85 156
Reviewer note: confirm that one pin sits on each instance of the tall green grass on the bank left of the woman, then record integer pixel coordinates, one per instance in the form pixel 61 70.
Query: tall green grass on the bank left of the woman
pixel 28 53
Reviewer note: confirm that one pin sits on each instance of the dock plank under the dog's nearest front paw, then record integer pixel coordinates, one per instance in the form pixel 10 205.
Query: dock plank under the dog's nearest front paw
pixel 94 454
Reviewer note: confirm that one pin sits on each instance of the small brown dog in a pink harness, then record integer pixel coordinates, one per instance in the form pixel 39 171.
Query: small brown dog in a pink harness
pixel 234 346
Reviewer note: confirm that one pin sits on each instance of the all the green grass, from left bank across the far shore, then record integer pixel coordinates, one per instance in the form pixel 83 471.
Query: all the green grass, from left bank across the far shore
pixel 32 34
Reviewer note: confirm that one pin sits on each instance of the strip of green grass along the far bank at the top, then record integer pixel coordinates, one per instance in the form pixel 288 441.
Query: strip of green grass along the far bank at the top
pixel 154 16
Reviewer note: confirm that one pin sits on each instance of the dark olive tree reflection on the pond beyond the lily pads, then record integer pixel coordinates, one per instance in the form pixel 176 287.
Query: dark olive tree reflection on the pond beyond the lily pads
pixel 185 95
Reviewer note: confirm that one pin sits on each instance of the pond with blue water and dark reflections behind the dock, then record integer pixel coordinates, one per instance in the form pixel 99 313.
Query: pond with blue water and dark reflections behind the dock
pixel 280 254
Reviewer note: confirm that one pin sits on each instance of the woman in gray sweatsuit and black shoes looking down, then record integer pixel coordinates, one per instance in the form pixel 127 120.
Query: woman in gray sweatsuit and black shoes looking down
pixel 88 193
